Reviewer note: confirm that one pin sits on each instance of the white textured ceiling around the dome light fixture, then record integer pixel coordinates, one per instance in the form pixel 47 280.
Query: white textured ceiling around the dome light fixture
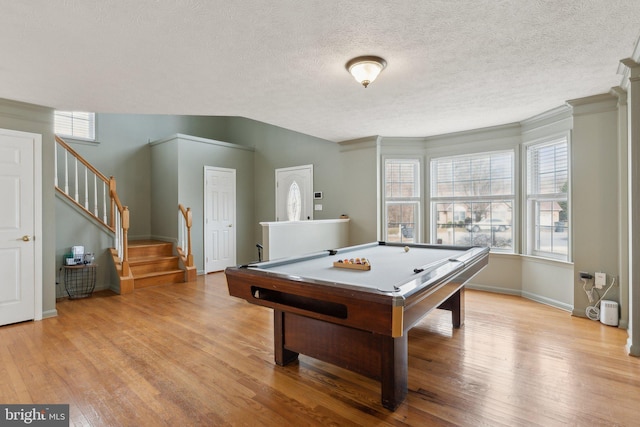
pixel 452 65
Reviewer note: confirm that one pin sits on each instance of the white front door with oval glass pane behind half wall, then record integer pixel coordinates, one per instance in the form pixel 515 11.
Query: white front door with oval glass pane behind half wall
pixel 294 193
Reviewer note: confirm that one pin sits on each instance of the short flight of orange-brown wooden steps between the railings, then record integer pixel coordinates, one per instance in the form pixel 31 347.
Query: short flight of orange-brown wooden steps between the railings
pixel 152 263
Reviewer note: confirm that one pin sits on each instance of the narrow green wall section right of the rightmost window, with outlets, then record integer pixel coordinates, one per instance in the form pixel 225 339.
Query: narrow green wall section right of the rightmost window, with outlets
pixel 595 197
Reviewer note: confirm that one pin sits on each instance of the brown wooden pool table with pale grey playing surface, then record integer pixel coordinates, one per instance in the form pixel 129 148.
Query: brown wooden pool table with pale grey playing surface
pixel 359 319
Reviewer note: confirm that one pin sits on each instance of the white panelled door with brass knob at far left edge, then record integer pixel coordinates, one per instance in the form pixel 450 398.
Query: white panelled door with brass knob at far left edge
pixel 20 227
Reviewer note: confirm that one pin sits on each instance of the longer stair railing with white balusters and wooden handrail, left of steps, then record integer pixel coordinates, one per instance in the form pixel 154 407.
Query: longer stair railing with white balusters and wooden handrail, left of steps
pixel 89 190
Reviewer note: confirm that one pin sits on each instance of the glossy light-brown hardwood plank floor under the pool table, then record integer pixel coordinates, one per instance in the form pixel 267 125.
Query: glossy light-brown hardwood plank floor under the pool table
pixel 189 354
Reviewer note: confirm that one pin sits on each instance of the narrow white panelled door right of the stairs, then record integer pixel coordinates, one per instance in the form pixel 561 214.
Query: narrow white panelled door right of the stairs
pixel 219 218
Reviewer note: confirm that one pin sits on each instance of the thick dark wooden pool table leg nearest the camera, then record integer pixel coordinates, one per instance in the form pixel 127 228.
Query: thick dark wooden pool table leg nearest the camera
pixel 394 375
